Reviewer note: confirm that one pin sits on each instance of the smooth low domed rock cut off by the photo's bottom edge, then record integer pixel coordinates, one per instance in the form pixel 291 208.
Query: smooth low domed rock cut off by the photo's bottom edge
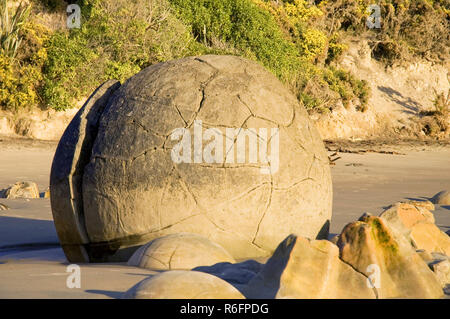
pixel 179 284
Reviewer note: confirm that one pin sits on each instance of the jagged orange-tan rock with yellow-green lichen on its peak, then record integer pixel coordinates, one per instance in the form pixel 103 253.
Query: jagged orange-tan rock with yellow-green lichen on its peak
pixel 369 245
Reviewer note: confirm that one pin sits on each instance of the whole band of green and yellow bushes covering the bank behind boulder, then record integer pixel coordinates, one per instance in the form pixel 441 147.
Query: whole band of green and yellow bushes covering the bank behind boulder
pixel 44 64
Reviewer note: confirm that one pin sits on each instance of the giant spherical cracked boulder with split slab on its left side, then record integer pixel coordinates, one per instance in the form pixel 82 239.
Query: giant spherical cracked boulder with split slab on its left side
pixel 115 187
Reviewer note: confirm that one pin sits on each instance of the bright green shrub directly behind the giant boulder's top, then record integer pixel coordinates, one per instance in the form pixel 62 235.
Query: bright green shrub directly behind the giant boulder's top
pixel 248 28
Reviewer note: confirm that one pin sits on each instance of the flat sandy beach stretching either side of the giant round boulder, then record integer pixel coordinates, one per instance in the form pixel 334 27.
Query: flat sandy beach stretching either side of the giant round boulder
pixel 32 265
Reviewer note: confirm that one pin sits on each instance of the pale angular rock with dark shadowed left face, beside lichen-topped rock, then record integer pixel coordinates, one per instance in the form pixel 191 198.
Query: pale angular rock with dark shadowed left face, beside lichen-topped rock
pixel 301 268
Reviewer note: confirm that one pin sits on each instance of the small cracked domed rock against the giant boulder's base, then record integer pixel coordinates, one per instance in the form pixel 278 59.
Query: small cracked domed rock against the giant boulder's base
pixel 179 251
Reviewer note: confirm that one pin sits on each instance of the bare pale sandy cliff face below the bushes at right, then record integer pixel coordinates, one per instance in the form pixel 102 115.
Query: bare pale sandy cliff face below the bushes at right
pixel 400 98
